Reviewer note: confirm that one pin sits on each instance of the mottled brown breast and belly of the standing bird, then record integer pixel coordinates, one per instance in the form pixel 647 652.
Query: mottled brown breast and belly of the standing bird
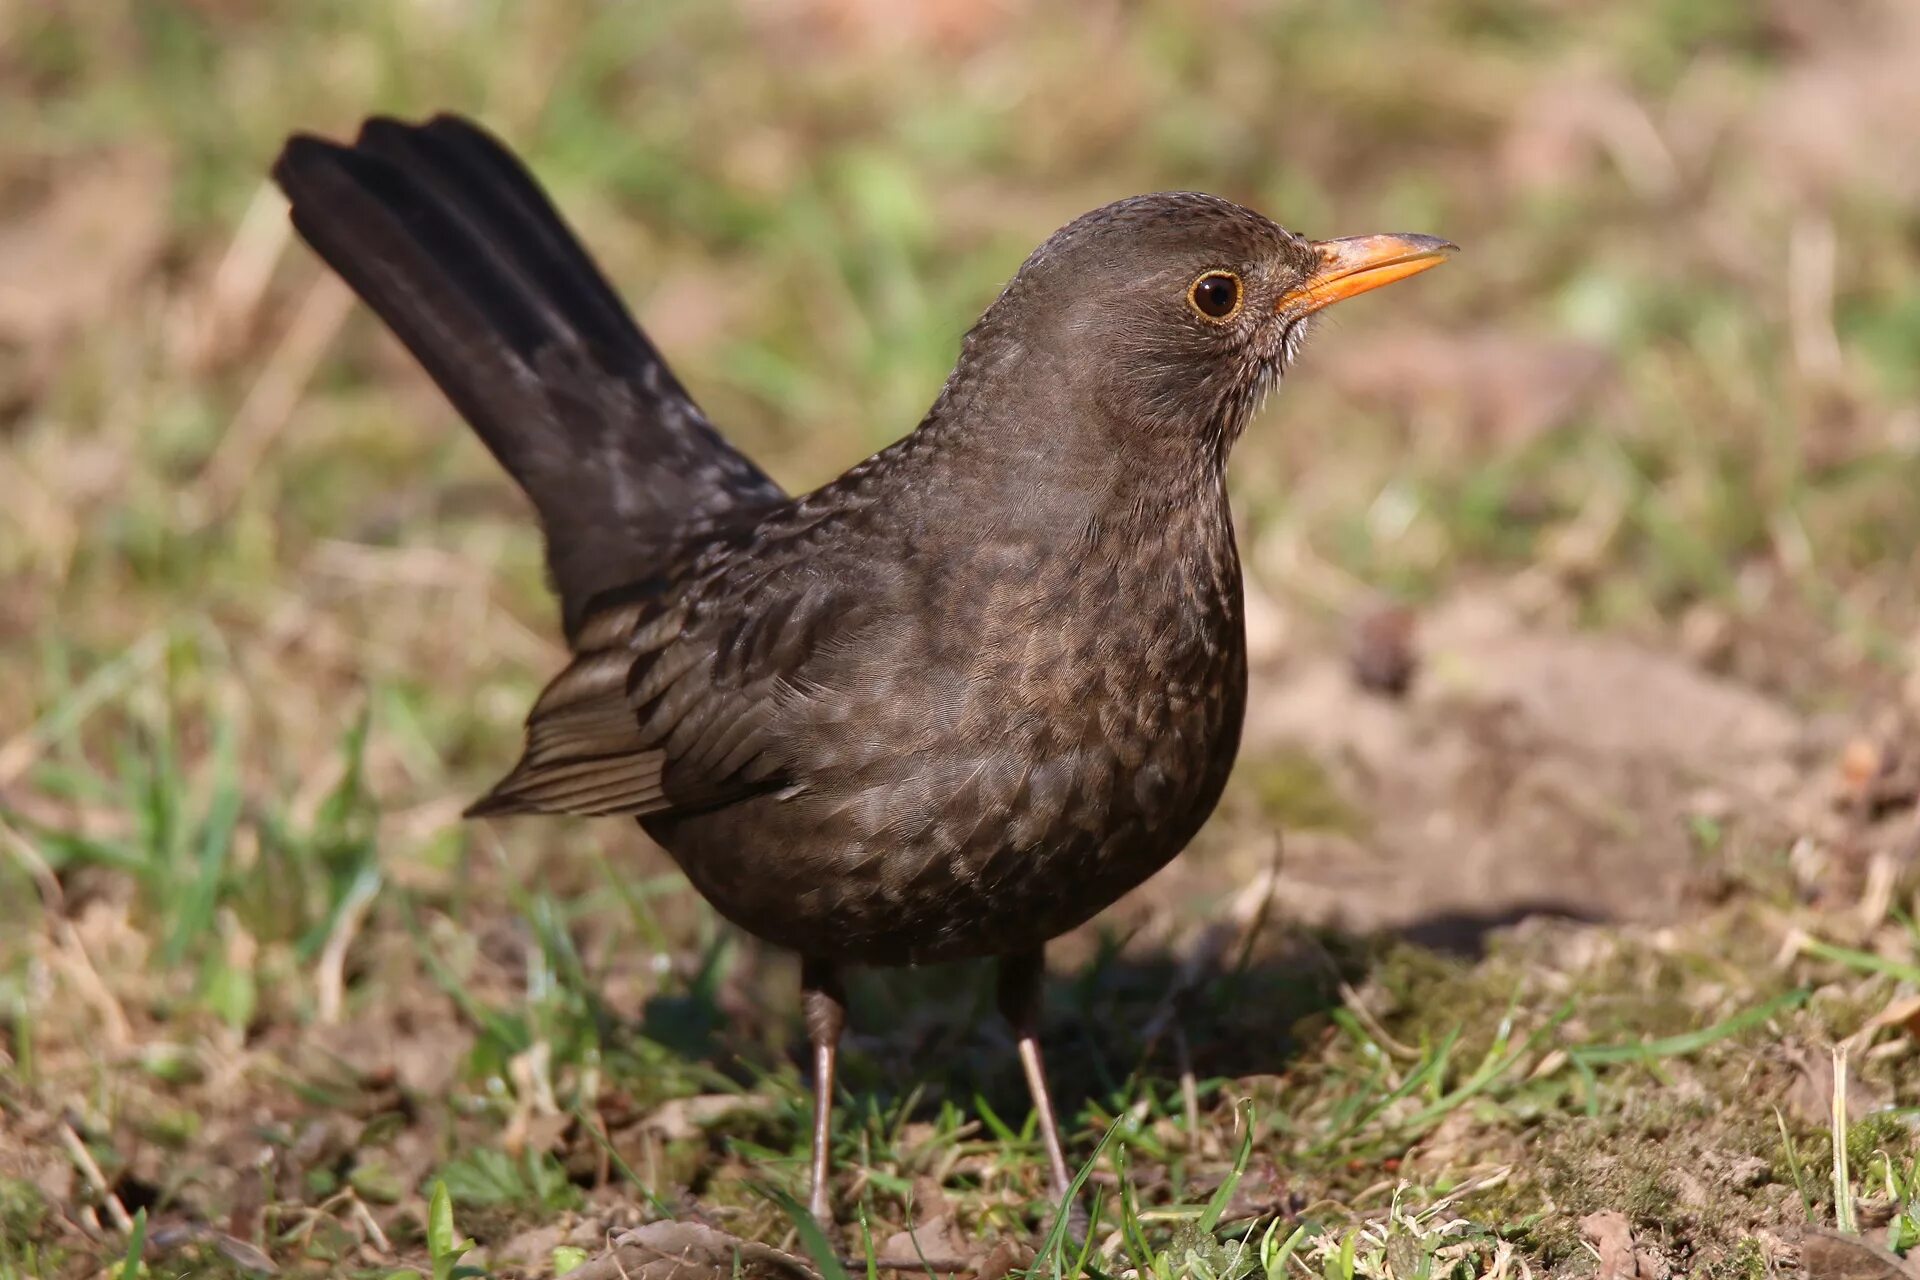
pixel 1015 740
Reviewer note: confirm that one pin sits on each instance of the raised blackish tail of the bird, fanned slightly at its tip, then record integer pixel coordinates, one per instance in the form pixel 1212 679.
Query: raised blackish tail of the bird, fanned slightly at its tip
pixel 450 241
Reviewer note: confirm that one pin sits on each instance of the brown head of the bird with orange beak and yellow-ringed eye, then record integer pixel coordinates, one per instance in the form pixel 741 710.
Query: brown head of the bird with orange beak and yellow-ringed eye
pixel 1174 314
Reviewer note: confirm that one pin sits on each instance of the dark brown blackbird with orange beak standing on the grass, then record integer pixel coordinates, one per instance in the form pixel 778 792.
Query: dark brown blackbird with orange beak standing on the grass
pixel 944 707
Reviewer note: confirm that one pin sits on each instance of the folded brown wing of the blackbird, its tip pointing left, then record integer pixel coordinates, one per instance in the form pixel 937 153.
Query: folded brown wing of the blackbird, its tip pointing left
pixel 673 703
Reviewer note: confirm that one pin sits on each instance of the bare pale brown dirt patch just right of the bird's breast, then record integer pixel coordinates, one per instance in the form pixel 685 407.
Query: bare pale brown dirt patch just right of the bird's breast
pixel 1527 770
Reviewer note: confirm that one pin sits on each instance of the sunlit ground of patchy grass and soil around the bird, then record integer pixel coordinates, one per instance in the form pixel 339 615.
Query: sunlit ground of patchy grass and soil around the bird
pixel 1562 913
